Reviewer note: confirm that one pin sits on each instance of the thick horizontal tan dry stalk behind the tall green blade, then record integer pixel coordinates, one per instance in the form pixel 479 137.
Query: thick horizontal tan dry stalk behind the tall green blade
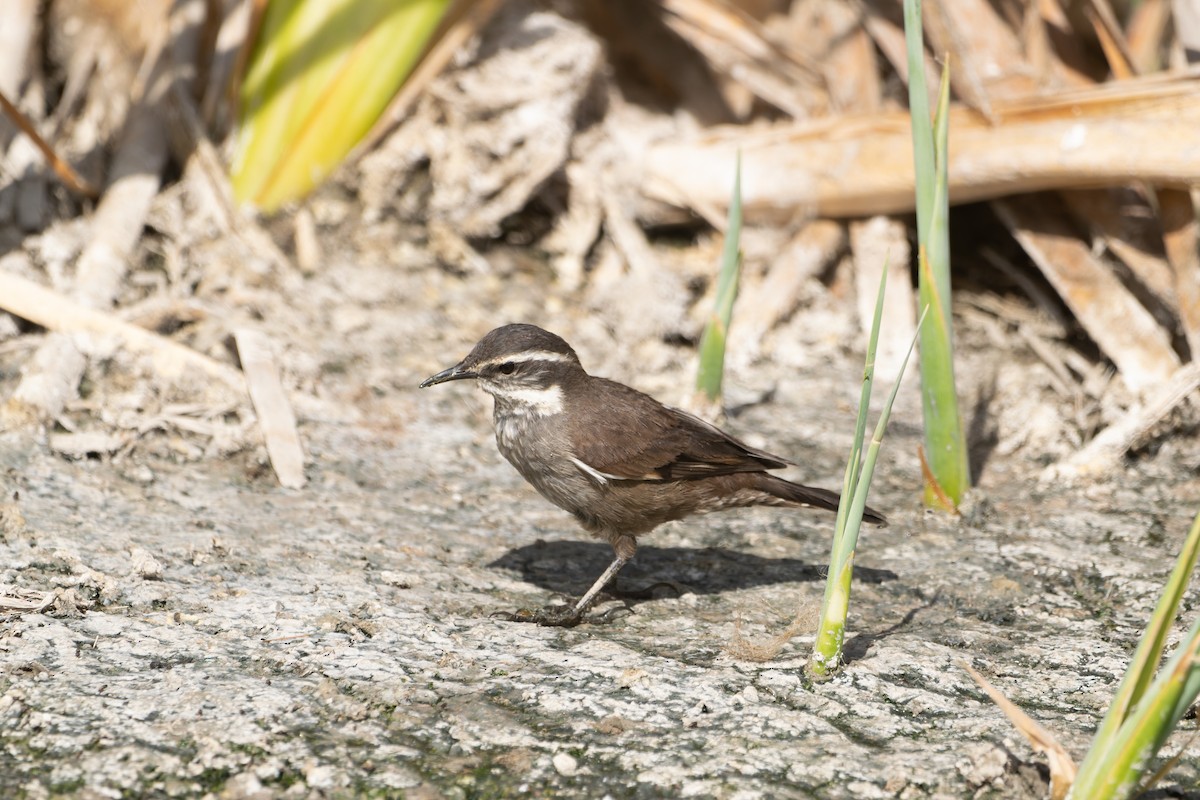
pixel 860 165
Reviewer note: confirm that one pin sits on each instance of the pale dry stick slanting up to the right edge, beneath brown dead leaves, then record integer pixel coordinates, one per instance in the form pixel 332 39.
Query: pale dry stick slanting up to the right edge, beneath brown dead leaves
pixel 1106 452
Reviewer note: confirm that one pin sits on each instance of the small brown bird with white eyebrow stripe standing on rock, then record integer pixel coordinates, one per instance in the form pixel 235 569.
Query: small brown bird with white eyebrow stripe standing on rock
pixel 620 461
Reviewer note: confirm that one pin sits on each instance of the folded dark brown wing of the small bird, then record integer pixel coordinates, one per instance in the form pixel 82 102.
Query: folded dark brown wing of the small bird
pixel 640 440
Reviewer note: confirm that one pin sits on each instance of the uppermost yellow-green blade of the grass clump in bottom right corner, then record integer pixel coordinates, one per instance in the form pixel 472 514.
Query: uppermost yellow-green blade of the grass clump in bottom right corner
pixel 1149 654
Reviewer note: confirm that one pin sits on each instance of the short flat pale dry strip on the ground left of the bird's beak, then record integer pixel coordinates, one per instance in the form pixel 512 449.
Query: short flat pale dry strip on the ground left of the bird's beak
pixel 275 416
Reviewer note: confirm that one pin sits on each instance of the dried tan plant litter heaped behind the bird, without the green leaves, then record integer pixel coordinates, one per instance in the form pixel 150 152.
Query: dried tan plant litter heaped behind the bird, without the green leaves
pixel 578 136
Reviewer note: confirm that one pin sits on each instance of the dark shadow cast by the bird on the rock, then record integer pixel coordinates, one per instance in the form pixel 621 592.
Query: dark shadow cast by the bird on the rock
pixel 571 568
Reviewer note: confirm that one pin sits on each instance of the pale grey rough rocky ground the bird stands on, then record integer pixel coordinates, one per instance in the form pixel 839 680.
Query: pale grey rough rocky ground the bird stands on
pixel 212 635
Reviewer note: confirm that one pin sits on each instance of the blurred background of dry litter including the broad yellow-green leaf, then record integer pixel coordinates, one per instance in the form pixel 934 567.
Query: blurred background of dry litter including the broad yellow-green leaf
pixel 593 139
